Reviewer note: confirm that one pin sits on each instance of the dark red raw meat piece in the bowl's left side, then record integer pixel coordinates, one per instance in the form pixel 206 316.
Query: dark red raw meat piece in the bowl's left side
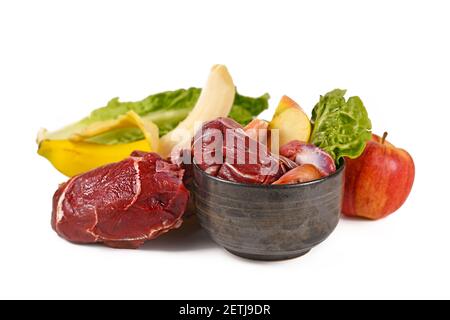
pixel 235 156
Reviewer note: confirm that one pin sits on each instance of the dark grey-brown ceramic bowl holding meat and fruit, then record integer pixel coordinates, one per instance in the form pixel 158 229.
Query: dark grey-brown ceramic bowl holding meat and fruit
pixel 268 222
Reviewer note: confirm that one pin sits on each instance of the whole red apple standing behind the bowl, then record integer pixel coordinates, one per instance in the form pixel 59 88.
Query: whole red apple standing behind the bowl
pixel 379 181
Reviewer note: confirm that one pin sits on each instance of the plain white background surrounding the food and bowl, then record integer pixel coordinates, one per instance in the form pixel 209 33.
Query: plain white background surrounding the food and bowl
pixel 61 59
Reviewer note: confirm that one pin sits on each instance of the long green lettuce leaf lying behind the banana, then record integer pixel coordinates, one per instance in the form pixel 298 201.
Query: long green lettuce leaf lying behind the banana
pixel 165 109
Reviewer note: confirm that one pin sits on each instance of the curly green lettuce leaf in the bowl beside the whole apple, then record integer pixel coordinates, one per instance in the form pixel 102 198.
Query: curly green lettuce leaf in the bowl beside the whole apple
pixel 341 127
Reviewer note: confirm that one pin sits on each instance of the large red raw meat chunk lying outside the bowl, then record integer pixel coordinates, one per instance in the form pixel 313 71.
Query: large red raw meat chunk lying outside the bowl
pixel 121 204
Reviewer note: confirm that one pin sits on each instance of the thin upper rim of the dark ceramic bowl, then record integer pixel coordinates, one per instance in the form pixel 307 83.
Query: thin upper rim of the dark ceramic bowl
pixel 339 168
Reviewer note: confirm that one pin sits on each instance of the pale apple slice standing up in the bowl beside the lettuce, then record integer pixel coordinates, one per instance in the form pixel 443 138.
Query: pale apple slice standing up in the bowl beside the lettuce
pixel 291 121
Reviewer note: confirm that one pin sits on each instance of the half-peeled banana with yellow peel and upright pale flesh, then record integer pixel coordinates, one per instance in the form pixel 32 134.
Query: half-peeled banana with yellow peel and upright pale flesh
pixel 76 153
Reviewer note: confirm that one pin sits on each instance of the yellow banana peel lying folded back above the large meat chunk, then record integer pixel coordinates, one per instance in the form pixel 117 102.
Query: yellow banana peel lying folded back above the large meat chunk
pixel 77 155
